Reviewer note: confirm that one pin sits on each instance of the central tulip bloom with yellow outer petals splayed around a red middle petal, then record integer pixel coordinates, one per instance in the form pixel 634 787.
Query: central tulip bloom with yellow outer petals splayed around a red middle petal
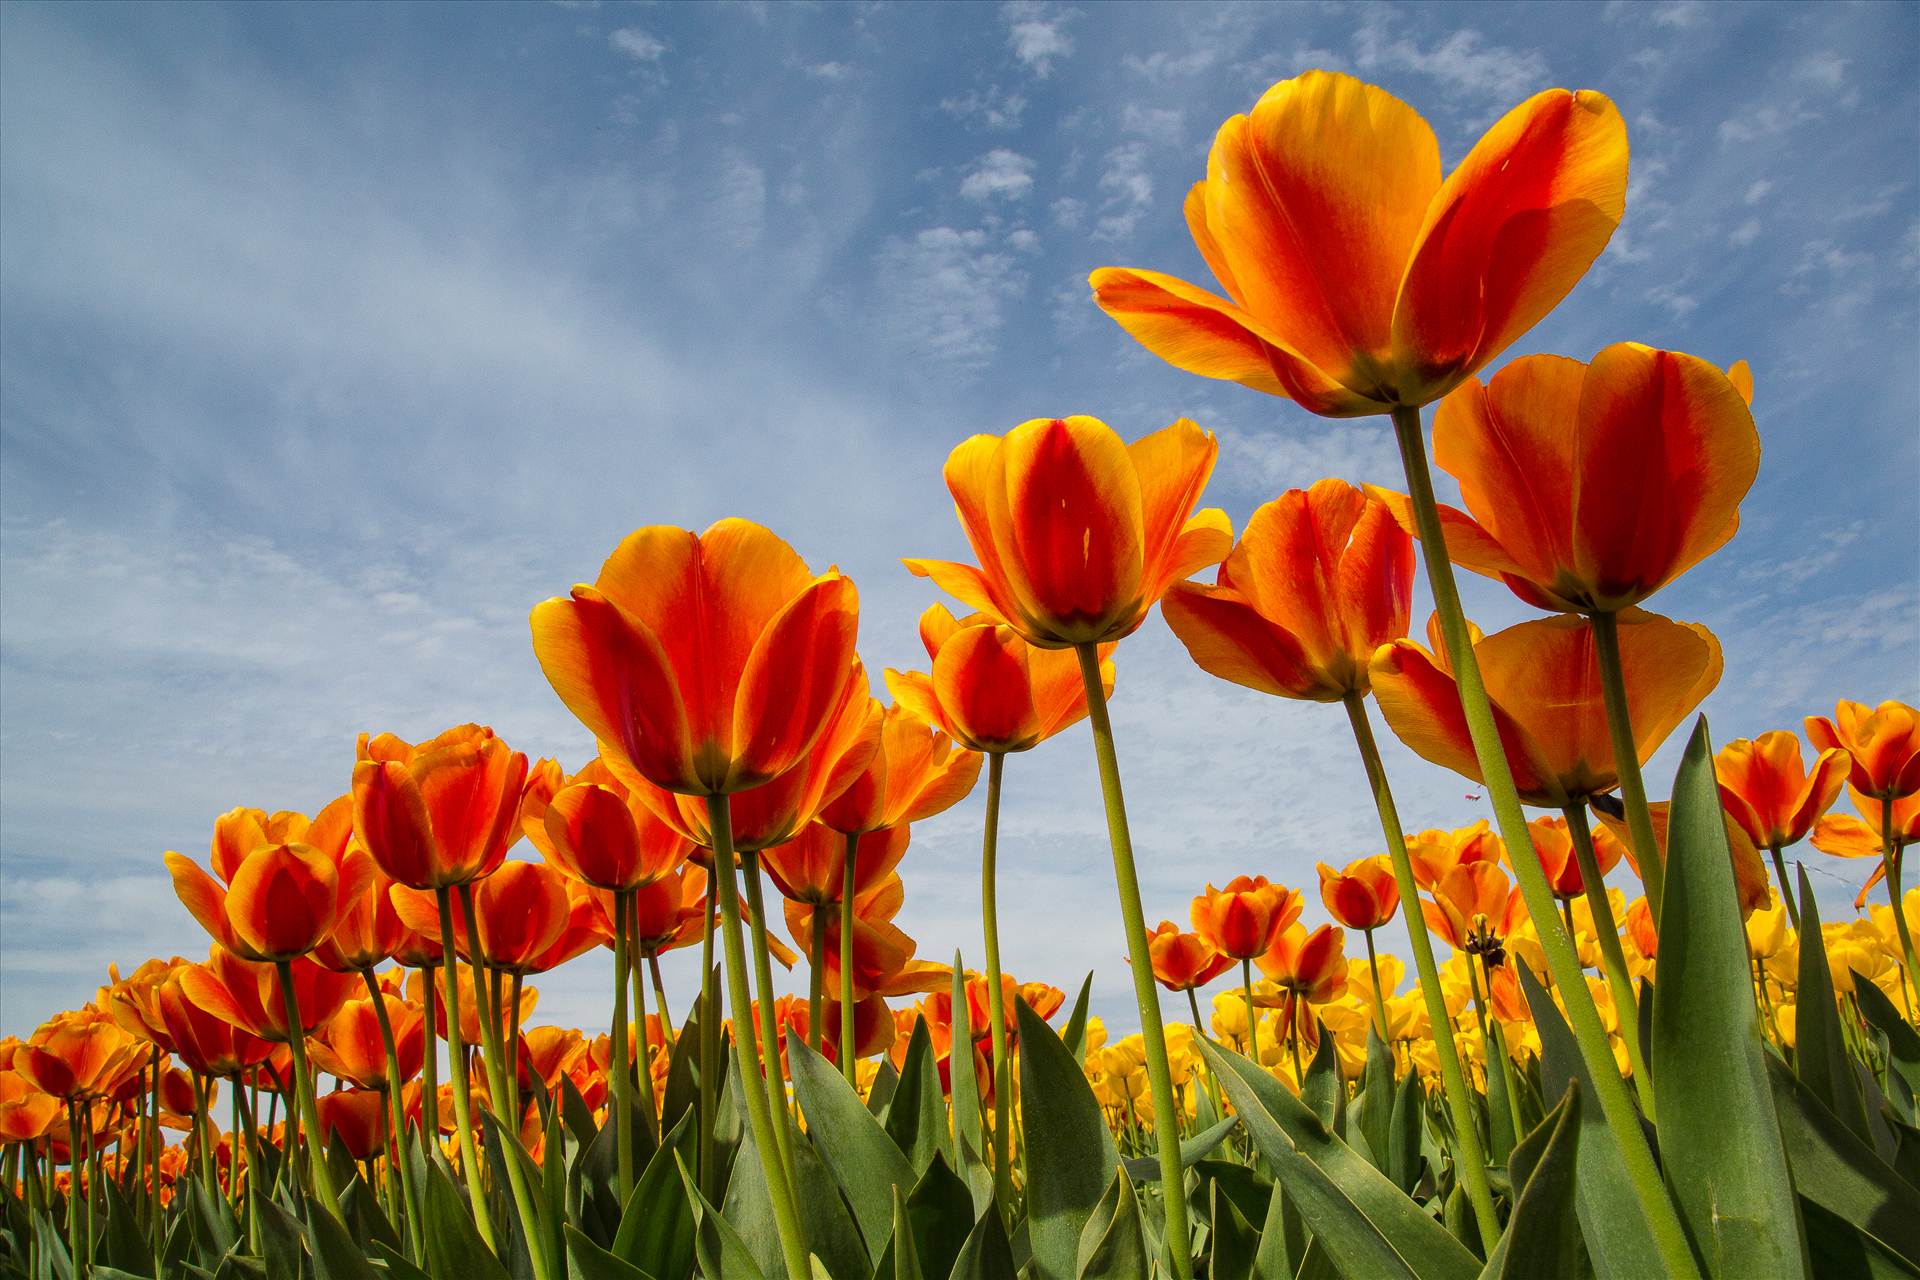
pixel 1076 533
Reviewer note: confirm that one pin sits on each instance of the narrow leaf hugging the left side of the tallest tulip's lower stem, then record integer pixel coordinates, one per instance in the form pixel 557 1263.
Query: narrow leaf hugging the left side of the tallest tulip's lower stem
pixel 1616 1231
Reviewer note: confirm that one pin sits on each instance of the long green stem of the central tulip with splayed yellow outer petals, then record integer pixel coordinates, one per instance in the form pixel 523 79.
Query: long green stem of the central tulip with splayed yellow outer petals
pixel 1140 959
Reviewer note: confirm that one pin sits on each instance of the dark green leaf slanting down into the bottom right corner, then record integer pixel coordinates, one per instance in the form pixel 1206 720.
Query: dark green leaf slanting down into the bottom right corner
pixel 1838 1172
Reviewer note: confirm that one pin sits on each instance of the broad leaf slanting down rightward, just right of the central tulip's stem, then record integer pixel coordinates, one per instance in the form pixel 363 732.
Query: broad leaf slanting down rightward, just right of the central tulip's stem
pixel 1368 1225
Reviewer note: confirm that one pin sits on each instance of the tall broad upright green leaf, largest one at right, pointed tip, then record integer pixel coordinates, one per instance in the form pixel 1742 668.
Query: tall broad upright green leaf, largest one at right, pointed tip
pixel 1719 1139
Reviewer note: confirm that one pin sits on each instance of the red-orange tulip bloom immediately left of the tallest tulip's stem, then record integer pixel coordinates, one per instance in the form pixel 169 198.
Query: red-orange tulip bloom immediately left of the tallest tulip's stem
pixel 1318 582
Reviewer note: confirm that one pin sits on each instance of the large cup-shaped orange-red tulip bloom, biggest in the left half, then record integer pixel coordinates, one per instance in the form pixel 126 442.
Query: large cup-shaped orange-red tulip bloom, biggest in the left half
pixel 708 663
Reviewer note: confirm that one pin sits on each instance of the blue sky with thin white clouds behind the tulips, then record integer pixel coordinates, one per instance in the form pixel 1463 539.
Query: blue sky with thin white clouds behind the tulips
pixel 333 339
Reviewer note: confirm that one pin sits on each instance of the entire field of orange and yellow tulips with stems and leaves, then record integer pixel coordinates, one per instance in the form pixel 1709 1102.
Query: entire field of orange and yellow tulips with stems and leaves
pixel 1723 1083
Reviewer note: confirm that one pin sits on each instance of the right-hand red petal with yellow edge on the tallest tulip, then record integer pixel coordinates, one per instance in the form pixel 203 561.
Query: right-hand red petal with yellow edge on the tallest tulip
pixel 1508 237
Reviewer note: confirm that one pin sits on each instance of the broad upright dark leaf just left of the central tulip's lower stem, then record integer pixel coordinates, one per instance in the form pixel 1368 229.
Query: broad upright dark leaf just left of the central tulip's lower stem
pixel 1070 1149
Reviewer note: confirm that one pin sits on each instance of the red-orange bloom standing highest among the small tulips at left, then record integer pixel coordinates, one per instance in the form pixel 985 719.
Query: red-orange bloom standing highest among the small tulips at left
pixel 441 813
